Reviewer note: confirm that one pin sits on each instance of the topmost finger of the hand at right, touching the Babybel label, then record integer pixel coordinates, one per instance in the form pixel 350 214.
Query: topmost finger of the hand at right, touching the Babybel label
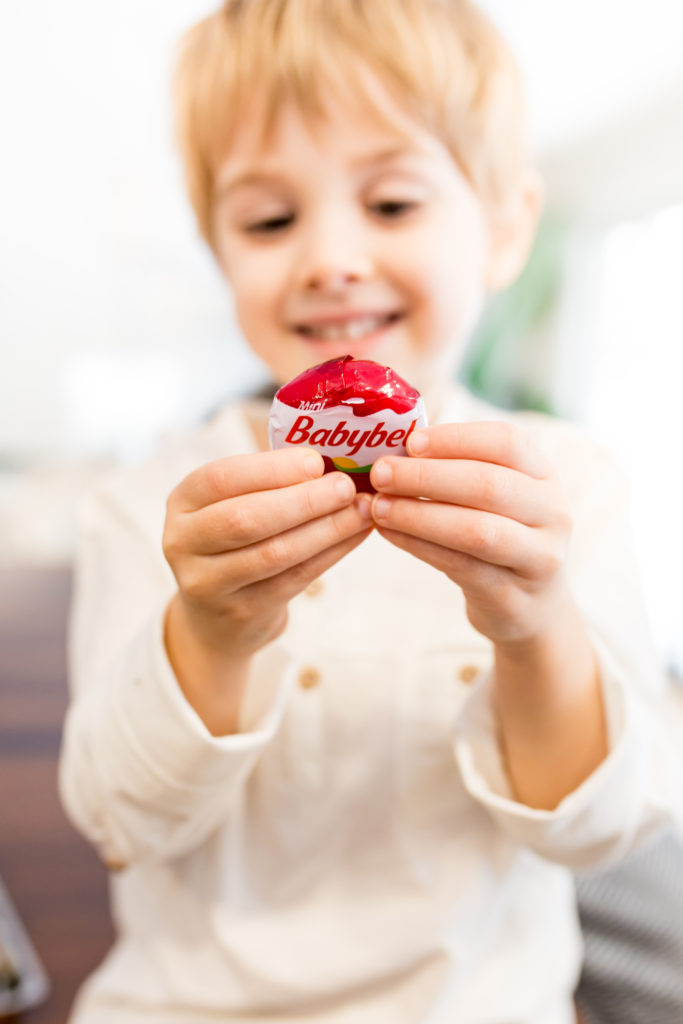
pixel 500 443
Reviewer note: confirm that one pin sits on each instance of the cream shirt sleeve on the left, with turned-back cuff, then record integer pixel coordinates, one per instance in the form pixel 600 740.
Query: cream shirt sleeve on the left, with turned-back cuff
pixel 141 775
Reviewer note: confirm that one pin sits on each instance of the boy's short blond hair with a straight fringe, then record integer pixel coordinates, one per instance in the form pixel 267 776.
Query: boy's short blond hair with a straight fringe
pixel 443 61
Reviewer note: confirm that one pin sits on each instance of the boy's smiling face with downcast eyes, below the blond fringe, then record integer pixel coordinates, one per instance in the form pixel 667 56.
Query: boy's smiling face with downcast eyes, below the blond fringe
pixel 350 236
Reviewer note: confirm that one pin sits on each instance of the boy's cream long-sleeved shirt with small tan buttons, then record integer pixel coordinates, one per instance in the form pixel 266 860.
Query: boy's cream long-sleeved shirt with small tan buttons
pixel 355 855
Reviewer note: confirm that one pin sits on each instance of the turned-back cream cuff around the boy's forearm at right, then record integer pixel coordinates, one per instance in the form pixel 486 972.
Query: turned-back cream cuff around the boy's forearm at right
pixel 599 821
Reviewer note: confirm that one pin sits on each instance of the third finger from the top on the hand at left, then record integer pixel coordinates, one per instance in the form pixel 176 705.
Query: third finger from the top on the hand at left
pixel 277 554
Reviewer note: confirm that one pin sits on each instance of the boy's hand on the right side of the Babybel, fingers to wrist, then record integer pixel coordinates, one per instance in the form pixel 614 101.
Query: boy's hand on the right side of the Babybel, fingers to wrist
pixel 496 522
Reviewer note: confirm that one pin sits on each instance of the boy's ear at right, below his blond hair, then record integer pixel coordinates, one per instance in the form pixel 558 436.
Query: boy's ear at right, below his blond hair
pixel 513 232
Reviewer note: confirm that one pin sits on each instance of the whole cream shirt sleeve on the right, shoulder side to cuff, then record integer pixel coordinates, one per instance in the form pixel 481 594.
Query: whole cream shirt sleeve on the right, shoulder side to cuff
pixel 635 792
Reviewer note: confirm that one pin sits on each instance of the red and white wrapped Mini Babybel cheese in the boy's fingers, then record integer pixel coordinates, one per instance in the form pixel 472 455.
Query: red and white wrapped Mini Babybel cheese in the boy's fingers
pixel 351 411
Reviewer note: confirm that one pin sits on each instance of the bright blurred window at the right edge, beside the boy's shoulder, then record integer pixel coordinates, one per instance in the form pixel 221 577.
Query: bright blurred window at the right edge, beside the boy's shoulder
pixel 635 404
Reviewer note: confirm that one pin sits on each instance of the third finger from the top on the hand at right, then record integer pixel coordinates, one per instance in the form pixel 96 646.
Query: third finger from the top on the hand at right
pixel 490 538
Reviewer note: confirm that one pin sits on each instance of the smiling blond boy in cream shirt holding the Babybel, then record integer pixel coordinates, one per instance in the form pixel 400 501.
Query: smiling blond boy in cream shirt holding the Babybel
pixel 344 753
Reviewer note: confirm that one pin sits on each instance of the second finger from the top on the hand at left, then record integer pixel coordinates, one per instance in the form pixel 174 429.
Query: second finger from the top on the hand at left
pixel 246 520
